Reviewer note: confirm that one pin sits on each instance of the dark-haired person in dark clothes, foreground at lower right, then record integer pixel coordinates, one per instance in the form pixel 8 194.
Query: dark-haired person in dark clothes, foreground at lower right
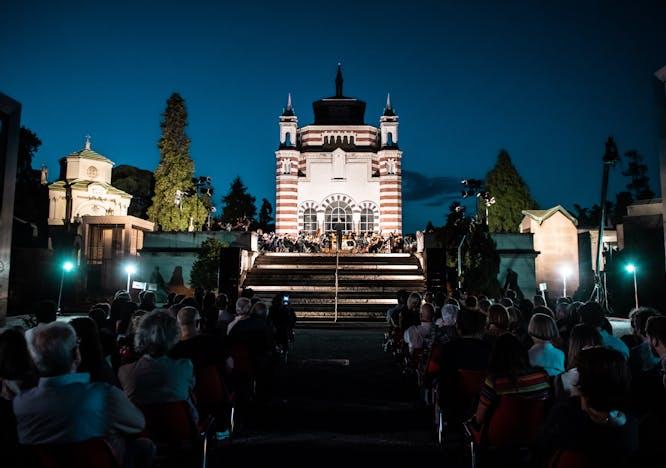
pixel 595 424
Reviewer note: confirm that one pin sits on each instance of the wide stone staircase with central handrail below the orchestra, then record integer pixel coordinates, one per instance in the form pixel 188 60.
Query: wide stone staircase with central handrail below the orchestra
pixel 367 283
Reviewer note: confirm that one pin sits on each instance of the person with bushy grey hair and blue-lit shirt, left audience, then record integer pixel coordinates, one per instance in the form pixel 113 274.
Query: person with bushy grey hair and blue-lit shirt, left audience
pixel 155 377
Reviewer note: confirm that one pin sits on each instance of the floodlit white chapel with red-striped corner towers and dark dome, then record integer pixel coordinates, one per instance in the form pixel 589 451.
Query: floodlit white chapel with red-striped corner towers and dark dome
pixel 339 169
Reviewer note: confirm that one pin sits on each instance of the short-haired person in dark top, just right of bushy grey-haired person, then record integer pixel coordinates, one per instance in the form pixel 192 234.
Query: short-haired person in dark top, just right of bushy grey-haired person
pixel 202 350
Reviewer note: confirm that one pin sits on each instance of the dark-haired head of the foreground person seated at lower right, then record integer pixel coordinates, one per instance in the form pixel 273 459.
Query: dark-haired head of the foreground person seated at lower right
pixel 603 379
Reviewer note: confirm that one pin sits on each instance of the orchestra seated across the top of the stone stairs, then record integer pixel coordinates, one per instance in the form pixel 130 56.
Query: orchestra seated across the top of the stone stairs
pixel 327 242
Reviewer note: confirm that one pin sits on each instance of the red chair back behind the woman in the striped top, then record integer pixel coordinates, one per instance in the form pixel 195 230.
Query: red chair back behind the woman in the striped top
pixel 515 422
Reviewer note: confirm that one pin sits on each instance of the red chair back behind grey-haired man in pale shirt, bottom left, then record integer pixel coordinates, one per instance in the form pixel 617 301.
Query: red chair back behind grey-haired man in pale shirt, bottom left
pixel 93 453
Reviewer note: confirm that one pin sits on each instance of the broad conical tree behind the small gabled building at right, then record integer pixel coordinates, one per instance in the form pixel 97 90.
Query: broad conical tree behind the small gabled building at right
pixel 512 195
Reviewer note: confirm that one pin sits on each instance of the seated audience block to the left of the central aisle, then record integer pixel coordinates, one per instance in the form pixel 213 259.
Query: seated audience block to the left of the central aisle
pixel 117 373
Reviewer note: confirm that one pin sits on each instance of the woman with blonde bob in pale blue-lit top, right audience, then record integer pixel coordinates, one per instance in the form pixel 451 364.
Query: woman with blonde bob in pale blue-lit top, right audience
pixel 543 330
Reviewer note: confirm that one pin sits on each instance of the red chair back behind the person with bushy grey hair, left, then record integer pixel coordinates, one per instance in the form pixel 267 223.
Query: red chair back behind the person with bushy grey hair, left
pixel 169 422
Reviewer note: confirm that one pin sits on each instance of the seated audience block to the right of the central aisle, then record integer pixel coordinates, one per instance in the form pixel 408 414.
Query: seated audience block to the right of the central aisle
pixel 555 380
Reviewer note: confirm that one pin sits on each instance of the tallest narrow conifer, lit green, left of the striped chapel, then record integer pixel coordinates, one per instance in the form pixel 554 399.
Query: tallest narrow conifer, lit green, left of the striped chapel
pixel 175 204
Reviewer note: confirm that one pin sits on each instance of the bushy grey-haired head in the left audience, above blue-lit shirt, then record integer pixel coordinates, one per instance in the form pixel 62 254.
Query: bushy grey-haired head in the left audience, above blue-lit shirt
pixel 157 333
